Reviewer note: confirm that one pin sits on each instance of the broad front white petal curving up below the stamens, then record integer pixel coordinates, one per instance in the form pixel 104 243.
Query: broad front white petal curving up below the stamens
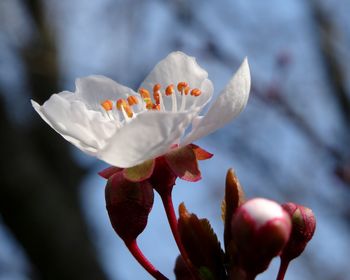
pixel 149 135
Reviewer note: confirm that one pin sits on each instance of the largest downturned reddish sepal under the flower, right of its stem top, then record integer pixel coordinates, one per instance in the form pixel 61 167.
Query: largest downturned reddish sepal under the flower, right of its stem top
pixel 184 164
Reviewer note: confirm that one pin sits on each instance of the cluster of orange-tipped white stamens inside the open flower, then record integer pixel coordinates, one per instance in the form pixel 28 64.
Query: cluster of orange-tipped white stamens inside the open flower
pixel 145 101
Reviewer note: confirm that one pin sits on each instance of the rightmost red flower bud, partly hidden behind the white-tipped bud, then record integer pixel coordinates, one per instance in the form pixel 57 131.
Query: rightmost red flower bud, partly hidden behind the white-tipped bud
pixel 303 228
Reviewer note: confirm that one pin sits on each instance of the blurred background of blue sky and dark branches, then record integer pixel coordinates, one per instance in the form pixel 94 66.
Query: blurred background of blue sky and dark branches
pixel 290 144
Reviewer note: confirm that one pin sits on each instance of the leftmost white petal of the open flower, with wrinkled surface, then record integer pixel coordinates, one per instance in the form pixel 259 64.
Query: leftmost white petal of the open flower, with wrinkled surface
pixel 84 128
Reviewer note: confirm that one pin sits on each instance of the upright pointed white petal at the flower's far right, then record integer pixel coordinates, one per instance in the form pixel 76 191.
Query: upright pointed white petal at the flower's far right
pixel 228 105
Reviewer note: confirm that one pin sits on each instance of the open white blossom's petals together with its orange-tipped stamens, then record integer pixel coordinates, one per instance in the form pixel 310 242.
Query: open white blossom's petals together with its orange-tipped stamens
pixel 102 119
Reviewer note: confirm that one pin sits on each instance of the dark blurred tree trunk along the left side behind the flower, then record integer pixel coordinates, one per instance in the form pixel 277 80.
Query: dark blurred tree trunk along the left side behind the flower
pixel 38 194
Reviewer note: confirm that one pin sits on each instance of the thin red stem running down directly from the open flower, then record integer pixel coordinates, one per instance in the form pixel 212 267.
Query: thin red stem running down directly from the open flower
pixel 172 219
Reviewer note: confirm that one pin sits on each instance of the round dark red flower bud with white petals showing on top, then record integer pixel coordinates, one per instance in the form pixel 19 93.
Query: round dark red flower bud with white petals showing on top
pixel 260 230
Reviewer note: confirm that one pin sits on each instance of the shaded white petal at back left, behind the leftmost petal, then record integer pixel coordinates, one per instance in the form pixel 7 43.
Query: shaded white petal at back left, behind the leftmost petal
pixel 95 89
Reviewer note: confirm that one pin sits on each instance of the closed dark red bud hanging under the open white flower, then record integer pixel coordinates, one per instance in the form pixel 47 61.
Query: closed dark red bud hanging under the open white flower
pixel 128 205
